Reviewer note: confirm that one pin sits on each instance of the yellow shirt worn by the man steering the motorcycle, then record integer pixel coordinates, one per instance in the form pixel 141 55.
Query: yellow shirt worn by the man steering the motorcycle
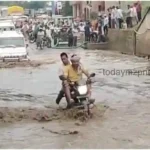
pixel 74 75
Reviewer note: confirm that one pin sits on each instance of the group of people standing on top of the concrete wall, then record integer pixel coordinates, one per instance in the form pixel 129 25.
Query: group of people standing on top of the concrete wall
pixel 119 18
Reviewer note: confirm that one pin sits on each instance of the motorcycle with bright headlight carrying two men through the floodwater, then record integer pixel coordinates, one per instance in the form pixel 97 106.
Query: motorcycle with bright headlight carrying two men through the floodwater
pixel 79 93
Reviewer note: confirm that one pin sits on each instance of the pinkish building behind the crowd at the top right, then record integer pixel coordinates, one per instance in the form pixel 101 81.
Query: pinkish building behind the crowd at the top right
pixel 82 9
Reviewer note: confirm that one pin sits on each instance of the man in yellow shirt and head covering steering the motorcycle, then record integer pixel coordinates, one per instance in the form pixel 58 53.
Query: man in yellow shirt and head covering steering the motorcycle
pixel 73 74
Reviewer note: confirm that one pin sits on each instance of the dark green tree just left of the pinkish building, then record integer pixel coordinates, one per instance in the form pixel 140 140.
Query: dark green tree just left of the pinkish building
pixel 67 9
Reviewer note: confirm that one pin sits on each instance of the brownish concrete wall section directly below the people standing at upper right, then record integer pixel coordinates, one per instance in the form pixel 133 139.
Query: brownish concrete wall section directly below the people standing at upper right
pixel 122 40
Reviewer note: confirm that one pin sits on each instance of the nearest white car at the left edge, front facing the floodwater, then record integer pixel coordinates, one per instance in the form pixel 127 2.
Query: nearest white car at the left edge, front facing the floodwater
pixel 13 46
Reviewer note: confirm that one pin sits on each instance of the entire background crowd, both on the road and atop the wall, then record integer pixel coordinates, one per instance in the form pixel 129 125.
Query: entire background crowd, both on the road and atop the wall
pixel 93 32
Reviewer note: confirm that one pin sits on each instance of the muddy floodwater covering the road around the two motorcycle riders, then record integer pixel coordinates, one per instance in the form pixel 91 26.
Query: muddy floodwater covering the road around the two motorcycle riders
pixel 124 125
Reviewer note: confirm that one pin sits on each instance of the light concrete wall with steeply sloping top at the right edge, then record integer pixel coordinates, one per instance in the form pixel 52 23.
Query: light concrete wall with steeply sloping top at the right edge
pixel 143 37
